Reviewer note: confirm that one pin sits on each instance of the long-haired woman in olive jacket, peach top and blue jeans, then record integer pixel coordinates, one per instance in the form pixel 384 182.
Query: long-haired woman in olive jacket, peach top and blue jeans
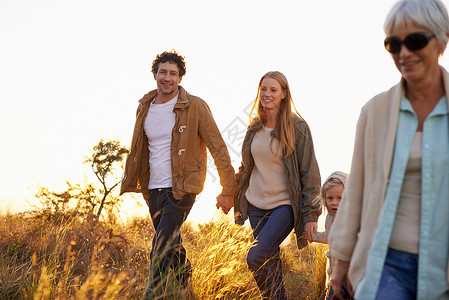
pixel 278 182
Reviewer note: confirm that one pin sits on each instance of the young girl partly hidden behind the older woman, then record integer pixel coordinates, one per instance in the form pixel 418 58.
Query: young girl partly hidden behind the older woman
pixel 330 196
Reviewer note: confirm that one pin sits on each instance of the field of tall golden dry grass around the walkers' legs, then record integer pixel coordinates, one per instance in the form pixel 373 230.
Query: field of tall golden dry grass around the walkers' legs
pixel 68 257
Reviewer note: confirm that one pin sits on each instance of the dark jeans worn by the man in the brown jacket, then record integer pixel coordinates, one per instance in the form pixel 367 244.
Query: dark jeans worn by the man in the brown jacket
pixel 168 214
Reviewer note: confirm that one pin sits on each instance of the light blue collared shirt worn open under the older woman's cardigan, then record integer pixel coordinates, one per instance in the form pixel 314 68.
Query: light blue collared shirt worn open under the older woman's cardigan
pixel 434 229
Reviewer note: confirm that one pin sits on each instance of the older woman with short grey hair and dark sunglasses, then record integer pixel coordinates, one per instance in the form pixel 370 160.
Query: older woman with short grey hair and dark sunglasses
pixel 390 237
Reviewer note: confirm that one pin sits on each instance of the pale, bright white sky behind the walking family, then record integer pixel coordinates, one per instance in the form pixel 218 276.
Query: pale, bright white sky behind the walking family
pixel 71 72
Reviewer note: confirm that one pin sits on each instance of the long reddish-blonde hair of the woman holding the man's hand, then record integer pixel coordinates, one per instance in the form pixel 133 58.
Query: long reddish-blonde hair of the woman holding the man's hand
pixel 285 123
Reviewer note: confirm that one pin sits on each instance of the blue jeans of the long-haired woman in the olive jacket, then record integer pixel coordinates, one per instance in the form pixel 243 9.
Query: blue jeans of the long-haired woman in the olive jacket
pixel 270 228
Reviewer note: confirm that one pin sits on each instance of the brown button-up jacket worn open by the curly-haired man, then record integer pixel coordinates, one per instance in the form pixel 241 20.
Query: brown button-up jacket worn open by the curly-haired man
pixel 194 130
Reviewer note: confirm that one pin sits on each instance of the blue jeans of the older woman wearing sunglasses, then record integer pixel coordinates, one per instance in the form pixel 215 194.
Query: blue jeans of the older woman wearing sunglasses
pixel 399 277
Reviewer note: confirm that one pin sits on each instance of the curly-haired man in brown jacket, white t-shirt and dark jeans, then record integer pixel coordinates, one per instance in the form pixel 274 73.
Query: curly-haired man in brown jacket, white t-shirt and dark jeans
pixel 167 164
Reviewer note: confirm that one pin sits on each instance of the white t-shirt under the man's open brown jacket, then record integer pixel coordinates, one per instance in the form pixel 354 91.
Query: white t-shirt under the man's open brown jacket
pixel 158 127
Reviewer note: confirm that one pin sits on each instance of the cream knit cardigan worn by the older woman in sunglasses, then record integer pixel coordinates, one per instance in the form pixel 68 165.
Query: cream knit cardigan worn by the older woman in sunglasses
pixel 359 212
